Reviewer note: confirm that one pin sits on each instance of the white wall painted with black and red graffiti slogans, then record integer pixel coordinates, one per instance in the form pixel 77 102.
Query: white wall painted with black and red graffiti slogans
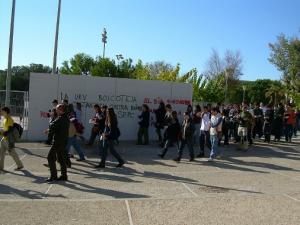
pixel 125 95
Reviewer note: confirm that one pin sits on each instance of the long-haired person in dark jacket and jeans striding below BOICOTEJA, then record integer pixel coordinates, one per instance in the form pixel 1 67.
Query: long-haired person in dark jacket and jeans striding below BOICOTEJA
pixel 109 136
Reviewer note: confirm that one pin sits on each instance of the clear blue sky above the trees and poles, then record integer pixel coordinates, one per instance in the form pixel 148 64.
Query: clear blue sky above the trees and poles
pixel 175 31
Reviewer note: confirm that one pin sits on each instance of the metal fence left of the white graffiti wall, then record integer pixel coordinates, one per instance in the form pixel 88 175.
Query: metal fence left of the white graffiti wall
pixel 19 102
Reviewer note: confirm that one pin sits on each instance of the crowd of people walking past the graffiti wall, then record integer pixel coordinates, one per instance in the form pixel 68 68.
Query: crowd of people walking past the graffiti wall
pixel 208 126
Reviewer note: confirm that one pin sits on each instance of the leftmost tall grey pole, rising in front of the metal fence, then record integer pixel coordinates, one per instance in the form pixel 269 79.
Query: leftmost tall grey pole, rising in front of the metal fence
pixel 11 40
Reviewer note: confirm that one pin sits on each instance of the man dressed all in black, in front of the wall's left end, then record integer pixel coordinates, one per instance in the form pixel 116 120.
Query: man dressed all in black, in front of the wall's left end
pixel 59 128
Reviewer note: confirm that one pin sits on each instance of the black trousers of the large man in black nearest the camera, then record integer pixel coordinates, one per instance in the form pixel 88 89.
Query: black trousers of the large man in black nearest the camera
pixel 59 153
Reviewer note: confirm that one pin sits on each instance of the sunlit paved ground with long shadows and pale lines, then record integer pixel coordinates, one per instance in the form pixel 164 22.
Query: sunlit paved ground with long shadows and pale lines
pixel 259 187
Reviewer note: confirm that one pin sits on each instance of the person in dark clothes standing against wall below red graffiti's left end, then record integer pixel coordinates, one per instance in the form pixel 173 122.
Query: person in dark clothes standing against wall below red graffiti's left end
pixel 144 125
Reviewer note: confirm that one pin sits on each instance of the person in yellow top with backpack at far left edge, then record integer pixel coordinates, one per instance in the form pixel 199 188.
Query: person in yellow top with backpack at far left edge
pixel 6 141
